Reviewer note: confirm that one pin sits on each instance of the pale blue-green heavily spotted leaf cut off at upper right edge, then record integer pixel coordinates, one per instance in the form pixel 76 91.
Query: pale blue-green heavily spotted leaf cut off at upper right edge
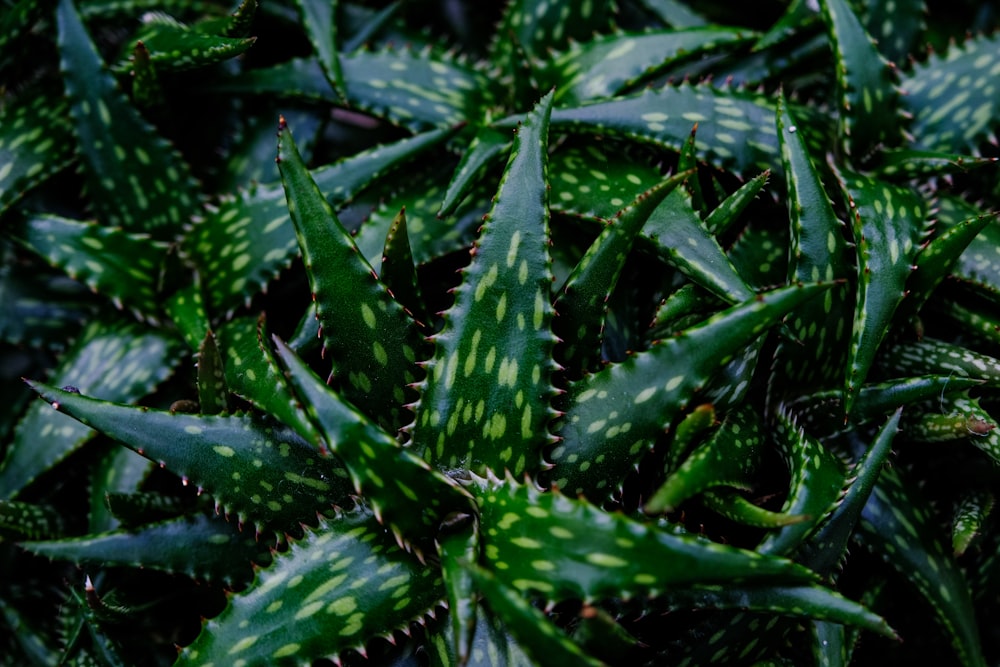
pixel 952 97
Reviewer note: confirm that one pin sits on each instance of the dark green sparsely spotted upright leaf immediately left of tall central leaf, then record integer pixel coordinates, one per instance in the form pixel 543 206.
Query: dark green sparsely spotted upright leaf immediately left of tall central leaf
pixel 374 344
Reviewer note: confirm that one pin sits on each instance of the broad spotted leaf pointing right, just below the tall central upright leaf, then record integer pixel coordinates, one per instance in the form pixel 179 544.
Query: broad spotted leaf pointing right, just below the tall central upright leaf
pixel 562 548
